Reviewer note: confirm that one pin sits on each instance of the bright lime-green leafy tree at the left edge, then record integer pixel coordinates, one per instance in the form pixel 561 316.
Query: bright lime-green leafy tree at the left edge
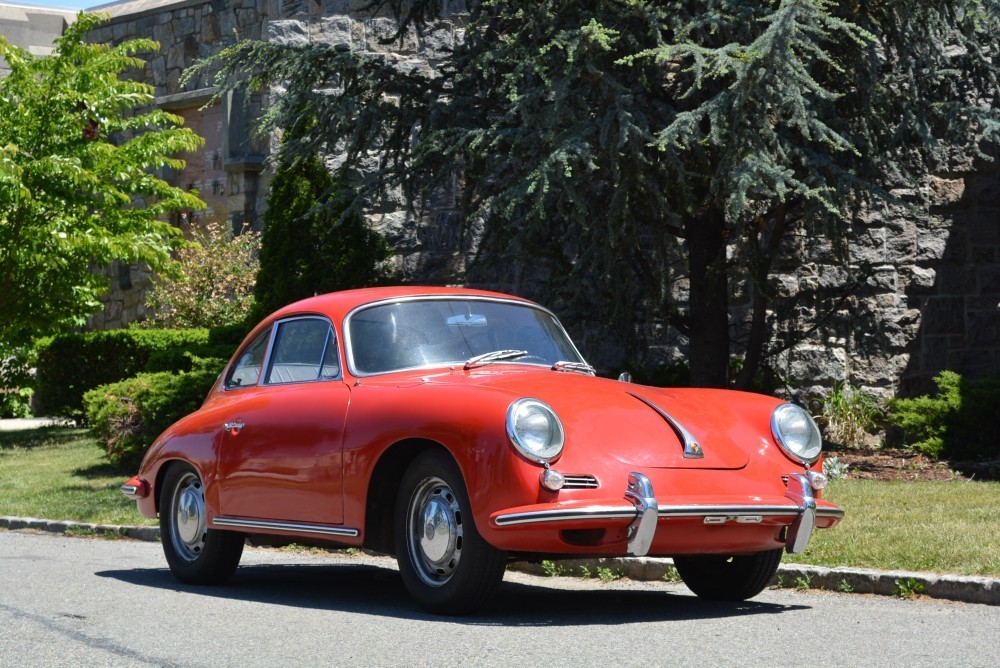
pixel 79 147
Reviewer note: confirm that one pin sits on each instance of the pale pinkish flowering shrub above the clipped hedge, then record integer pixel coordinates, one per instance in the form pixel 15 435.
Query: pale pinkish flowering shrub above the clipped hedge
pixel 214 283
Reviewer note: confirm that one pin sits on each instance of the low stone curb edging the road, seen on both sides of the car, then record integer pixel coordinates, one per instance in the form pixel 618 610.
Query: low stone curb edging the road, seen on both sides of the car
pixel 963 588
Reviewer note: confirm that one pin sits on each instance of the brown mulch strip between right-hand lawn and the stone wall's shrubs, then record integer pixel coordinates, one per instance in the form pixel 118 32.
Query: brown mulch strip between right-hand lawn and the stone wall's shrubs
pixel 896 464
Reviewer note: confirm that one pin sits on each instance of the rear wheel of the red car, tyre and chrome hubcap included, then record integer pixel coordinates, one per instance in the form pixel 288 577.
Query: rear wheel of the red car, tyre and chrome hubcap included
pixel 195 553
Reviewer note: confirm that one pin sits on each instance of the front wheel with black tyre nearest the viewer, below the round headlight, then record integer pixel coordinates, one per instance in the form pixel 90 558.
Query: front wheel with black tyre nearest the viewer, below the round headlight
pixel 445 564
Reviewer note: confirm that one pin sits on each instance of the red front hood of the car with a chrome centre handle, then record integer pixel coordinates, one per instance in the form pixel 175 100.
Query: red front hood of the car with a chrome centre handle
pixel 632 423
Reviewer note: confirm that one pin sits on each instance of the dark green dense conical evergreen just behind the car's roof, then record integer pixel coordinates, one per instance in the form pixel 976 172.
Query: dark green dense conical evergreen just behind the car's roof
pixel 308 249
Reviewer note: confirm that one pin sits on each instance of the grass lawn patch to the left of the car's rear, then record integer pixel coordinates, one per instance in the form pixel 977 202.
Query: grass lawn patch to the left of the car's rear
pixel 59 474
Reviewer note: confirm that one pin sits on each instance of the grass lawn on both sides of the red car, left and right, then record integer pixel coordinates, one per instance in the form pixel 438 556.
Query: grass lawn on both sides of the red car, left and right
pixel 951 527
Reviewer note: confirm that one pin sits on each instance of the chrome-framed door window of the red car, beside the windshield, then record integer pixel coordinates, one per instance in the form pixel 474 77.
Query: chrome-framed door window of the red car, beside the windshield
pixel 304 350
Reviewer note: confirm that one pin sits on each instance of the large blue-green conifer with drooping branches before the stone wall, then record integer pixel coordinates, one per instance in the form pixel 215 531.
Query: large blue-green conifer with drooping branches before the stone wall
pixel 599 138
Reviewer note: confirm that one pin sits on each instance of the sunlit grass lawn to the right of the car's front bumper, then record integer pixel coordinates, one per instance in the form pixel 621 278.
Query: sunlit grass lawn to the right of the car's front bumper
pixel 951 527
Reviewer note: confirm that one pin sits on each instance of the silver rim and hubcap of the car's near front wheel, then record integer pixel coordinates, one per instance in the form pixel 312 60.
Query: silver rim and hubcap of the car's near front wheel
pixel 435 531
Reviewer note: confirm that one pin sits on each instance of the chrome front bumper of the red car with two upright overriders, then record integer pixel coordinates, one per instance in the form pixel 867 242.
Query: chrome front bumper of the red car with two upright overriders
pixel 644 513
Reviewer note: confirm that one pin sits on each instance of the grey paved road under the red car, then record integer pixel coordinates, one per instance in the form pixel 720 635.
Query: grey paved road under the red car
pixel 93 602
